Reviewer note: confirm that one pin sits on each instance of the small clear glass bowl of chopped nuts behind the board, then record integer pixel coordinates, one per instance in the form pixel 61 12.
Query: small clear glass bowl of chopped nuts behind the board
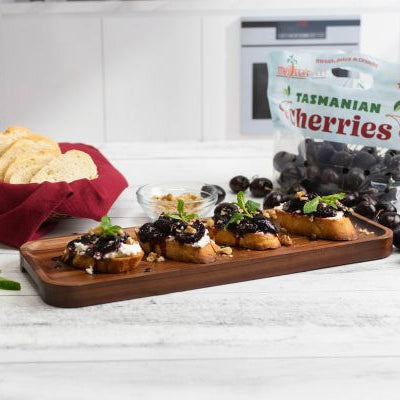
pixel 203 205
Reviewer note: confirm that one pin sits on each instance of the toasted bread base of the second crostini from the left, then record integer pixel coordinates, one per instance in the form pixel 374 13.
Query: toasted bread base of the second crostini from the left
pixel 182 252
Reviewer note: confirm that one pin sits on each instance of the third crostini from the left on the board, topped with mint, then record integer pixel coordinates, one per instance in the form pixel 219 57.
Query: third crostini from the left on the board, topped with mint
pixel 242 224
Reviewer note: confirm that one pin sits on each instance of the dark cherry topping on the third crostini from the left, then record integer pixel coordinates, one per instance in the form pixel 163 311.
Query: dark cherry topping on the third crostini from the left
pixel 259 223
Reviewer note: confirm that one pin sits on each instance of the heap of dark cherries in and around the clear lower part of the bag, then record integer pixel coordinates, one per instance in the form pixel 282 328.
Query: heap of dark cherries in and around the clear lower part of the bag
pixel 327 167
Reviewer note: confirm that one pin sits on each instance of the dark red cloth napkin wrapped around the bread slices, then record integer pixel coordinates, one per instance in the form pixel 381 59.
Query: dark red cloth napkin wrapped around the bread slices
pixel 24 209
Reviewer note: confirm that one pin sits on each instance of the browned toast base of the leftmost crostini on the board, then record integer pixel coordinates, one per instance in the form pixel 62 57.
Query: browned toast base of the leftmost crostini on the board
pixel 105 266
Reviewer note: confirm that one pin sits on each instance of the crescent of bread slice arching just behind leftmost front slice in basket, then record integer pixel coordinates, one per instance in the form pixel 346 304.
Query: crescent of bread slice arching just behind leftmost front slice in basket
pixel 24 147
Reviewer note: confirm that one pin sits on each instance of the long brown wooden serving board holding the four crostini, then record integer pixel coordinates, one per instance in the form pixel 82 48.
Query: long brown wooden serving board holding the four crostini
pixel 62 286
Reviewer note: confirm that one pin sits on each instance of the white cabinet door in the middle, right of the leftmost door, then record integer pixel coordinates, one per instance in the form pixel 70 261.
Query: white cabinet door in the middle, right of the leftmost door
pixel 153 79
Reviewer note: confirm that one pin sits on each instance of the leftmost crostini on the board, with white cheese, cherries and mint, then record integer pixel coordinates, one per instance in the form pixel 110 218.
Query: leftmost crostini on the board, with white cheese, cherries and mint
pixel 104 249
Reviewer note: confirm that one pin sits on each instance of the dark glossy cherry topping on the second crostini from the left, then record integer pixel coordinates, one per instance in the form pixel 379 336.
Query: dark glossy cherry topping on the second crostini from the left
pixel 156 232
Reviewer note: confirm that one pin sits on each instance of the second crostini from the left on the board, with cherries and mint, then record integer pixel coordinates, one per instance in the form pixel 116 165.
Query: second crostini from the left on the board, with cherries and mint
pixel 178 236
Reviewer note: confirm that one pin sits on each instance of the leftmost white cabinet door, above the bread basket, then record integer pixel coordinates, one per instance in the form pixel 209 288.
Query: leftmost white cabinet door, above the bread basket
pixel 51 75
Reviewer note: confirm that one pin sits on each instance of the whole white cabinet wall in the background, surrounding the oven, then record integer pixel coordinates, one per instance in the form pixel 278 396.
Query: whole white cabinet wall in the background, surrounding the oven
pixel 145 70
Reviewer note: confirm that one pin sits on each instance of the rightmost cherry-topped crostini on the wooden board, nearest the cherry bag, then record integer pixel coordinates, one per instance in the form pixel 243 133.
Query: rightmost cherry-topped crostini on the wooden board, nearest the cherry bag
pixel 316 216
